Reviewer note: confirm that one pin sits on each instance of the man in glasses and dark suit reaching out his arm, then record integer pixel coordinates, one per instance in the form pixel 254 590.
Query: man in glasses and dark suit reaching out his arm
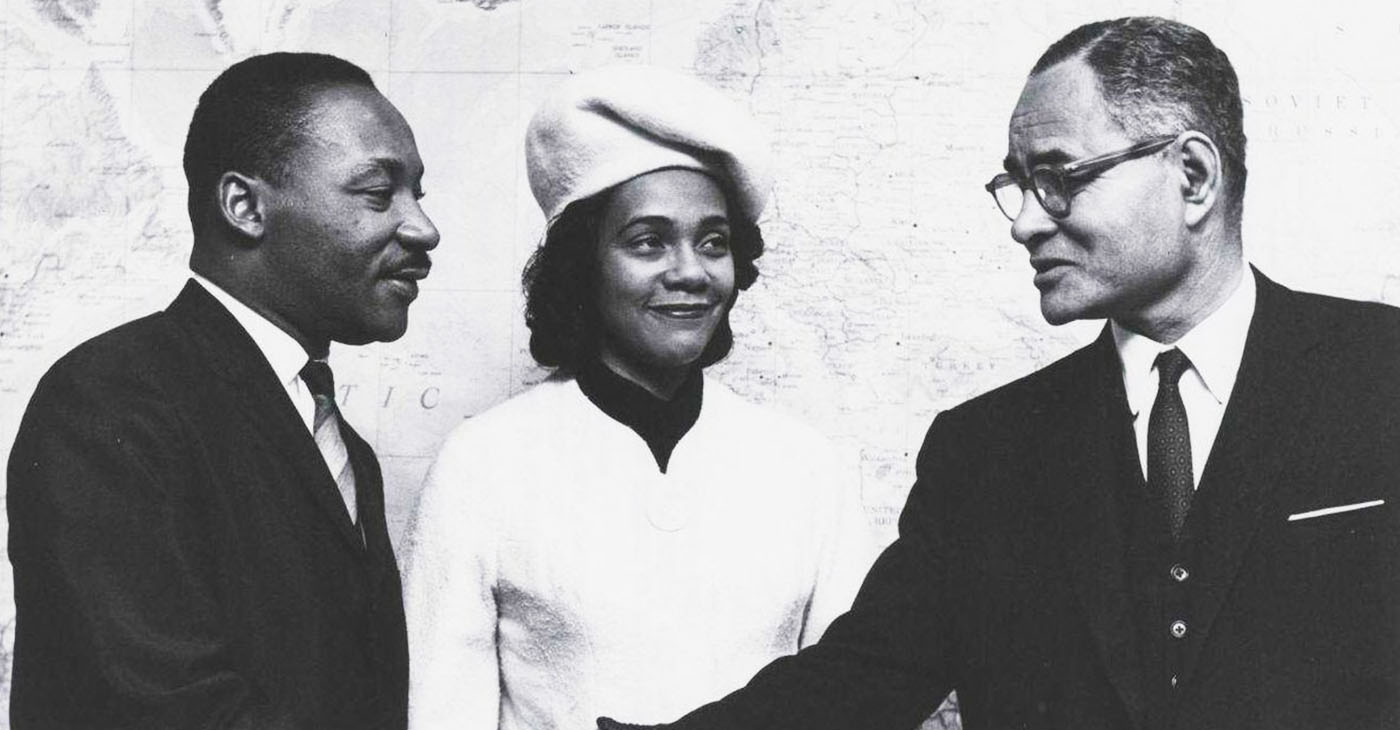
pixel 1192 523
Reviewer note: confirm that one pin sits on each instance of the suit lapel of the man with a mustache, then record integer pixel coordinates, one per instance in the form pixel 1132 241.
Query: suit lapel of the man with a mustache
pixel 241 366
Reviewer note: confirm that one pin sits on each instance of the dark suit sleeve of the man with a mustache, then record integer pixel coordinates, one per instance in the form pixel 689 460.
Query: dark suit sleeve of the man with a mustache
pixel 118 616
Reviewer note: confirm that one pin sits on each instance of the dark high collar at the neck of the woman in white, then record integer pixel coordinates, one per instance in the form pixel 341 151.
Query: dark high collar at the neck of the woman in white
pixel 661 424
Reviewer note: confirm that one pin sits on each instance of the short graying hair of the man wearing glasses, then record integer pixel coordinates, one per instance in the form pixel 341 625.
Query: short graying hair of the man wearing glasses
pixel 1163 78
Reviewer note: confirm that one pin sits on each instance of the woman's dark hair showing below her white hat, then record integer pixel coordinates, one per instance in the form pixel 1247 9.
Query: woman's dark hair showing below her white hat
pixel 561 303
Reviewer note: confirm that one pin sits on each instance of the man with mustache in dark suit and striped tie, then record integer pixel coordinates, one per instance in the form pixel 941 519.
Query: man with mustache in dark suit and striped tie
pixel 198 537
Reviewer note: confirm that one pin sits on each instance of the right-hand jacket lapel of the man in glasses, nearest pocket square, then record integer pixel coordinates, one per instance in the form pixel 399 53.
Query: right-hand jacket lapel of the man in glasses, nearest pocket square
pixel 1251 453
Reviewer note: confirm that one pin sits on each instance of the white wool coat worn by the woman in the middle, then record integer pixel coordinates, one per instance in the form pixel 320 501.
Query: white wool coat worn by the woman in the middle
pixel 554 574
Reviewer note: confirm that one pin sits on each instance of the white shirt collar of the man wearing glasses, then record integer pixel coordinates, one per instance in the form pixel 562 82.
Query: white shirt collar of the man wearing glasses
pixel 1216 348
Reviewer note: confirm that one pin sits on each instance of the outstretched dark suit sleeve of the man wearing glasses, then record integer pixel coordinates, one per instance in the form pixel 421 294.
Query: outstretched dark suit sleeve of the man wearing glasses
pixel 890 661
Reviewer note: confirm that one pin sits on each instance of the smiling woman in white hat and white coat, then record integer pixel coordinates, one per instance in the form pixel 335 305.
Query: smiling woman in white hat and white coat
pixel 628 537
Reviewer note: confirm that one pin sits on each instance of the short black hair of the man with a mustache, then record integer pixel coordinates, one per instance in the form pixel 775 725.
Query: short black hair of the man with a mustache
pixel 253 118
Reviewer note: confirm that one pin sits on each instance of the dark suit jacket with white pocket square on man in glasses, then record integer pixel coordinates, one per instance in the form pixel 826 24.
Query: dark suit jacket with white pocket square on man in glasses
pixel 1010 579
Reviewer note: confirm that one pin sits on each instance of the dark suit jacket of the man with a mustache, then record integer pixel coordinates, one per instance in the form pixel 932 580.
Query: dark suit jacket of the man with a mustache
pixel 181 554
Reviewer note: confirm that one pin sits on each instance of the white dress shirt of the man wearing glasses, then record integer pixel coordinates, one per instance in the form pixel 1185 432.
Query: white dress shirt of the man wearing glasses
pixel 1214 347
